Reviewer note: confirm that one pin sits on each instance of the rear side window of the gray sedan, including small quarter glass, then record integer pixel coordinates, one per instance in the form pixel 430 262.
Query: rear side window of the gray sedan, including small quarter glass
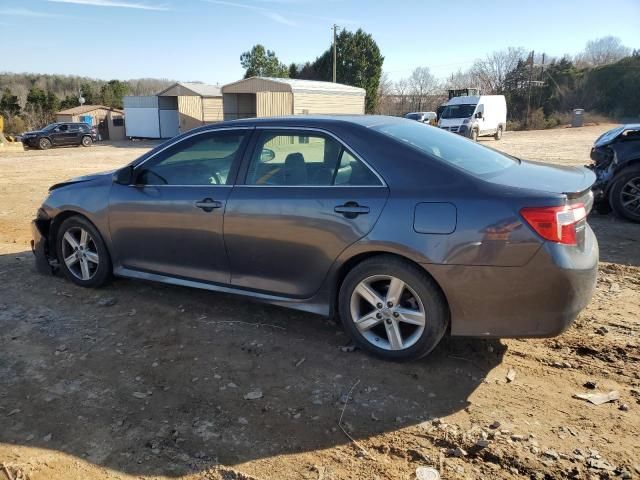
pixel 305 158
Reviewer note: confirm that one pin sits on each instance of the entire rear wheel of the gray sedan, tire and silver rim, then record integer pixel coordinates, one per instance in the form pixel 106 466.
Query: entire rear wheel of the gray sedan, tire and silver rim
pixel 392 309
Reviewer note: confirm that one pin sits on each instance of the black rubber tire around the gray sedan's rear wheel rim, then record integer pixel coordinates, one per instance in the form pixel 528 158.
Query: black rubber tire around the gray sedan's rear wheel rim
pixel 435 306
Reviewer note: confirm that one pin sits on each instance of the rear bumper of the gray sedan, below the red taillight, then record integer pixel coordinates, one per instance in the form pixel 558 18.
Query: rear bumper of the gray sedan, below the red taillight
pixel 540 299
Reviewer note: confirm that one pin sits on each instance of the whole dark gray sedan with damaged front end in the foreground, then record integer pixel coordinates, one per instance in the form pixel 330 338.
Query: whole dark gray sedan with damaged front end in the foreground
pixel 406 231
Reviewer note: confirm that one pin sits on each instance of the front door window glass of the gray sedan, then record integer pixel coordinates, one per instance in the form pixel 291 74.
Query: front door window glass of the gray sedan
pixel 204 159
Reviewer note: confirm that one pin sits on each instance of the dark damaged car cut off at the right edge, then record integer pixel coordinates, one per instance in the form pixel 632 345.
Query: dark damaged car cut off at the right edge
pixel 616 163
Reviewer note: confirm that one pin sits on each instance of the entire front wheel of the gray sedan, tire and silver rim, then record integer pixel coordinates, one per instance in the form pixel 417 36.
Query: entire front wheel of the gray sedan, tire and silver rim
pixel 82 254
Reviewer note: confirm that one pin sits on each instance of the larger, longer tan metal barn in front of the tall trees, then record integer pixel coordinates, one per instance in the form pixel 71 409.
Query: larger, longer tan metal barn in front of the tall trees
pixel 268 97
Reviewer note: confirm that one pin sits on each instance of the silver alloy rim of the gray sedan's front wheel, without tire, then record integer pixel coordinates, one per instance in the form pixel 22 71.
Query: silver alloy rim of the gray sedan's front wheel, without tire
pixel 80 253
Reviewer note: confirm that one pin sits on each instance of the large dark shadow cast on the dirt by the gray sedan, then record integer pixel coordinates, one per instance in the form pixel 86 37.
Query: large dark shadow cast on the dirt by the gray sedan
pixel 150 379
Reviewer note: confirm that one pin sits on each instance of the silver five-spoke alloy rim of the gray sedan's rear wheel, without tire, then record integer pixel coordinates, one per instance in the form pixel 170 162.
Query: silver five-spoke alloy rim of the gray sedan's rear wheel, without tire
pixel 387 312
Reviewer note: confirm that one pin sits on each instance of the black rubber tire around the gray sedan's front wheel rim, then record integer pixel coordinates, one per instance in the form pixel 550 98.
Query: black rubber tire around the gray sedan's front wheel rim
pixel 100 275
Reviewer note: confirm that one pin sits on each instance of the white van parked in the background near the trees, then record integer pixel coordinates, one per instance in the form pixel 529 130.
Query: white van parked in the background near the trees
pixel 475 116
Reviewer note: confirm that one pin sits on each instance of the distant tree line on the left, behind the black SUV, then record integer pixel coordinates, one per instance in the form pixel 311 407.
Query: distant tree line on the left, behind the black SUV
pixel 29 101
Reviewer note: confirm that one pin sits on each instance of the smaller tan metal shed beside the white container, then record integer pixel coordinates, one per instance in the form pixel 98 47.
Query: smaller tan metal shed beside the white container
pixel 196 103
